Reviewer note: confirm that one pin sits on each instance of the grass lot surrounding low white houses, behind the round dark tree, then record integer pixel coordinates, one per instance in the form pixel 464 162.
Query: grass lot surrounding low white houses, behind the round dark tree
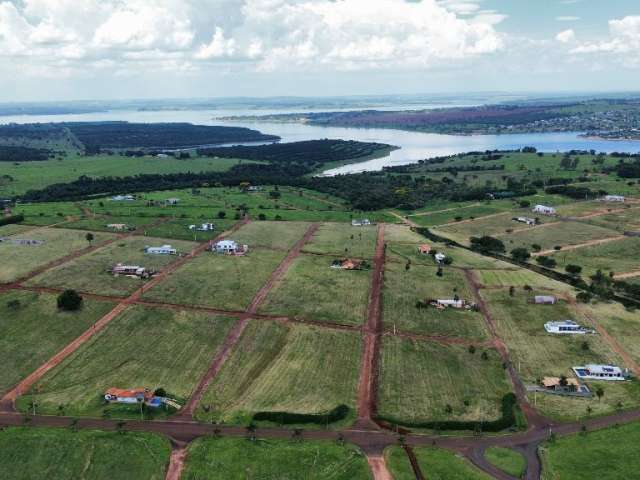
pixel 90 273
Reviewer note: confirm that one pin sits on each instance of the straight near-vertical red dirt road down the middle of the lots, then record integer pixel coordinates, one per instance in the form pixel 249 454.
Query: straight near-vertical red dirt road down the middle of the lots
pixel 371 346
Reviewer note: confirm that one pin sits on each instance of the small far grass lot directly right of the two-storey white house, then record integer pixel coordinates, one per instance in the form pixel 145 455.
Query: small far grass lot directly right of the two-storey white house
pixel 277 235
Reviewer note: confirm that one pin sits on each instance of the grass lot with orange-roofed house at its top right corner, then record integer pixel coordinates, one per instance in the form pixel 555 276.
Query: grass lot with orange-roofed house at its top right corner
pixel 313 290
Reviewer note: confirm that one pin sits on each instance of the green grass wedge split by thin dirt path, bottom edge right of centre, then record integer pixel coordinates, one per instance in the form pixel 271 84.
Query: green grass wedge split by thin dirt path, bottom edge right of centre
pixel 435 464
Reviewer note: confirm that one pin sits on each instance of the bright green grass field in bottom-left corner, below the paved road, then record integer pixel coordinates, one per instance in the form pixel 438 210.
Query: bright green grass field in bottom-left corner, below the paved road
pixel 36 453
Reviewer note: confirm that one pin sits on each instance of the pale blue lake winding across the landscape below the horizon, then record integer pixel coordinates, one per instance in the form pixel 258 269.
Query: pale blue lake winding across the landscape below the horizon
pixel 414 146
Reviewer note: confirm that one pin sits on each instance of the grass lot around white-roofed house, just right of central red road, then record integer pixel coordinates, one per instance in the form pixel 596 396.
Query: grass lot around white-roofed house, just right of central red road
pixel 403 288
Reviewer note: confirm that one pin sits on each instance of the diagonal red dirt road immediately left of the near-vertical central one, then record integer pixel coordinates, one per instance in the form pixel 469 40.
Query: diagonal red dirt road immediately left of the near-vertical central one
pixel 240 325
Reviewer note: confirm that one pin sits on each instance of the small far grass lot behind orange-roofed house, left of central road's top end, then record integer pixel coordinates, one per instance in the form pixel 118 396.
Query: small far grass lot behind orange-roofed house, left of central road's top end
pixel 344 240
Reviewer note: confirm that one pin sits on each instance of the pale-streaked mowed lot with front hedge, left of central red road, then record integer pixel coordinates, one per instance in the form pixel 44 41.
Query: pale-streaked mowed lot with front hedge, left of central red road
pixel 282 368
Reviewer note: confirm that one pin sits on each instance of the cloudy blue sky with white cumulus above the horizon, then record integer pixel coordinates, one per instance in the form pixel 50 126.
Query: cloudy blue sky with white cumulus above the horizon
pixel 105 49
